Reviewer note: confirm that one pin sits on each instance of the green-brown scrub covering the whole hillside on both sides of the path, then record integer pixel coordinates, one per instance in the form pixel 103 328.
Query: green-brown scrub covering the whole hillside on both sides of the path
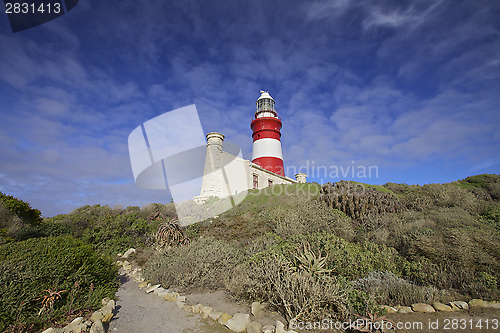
pixel 310 251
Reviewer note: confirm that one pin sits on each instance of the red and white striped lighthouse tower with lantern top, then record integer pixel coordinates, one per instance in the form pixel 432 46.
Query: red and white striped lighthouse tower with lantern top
pixel 266 135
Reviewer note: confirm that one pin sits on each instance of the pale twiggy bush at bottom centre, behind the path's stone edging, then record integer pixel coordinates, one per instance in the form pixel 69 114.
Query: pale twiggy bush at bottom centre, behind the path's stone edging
pixel 296 295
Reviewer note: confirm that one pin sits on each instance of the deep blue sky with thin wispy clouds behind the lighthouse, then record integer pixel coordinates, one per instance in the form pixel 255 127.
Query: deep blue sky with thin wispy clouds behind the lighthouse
pixel 411 87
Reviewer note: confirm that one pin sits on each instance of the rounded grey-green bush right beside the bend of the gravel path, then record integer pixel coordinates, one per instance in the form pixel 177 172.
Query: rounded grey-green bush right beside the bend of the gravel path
pixel 205 263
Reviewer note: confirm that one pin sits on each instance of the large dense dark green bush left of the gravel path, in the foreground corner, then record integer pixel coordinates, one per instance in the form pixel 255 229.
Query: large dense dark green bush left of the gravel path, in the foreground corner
pixel 30 268
